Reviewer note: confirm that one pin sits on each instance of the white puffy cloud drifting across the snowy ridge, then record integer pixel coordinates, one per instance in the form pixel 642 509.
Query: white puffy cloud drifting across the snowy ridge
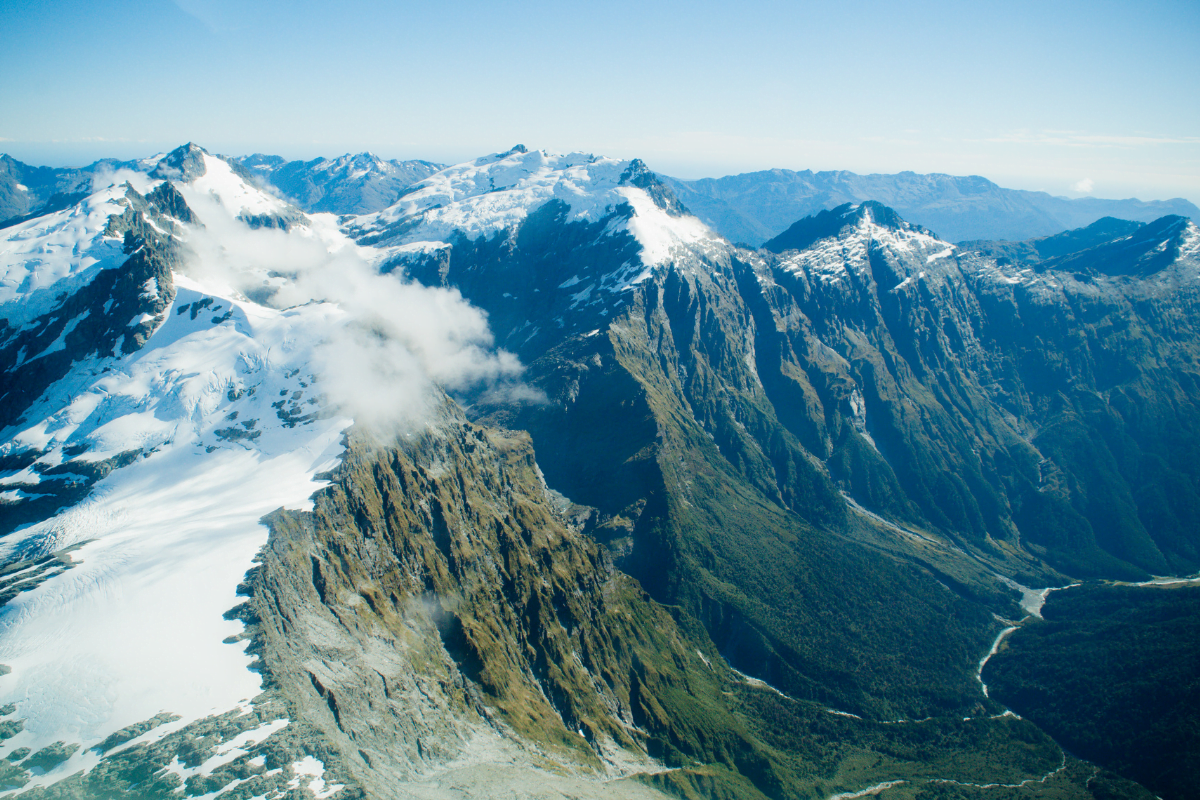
pixel 395 348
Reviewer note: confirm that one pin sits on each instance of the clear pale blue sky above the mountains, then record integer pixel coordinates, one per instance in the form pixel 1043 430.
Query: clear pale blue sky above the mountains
pixel 1077 99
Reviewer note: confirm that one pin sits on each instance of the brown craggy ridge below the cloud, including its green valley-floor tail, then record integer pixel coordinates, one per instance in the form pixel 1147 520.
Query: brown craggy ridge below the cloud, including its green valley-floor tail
pixel 446 631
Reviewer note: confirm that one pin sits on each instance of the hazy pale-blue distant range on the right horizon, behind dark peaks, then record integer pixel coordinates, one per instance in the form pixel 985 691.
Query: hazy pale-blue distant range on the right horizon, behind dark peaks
pixel 755 207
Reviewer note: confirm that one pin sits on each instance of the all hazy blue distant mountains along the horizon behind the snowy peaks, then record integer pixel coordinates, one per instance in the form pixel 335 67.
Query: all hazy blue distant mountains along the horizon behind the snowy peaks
pixel 749 209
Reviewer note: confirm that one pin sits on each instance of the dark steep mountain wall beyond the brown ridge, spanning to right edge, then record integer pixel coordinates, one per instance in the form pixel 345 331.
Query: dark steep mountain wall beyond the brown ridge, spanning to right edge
pixel 733 414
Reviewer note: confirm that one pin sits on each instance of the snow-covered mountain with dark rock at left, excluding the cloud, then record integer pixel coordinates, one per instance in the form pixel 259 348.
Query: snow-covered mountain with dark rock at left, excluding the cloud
pixel 178 430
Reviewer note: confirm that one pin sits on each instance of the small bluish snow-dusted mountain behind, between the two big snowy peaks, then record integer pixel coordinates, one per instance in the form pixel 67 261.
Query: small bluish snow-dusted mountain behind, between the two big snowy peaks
pixel 359 184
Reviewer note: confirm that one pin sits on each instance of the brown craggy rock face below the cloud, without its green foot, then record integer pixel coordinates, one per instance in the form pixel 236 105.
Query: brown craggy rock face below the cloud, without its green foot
pixel 447 576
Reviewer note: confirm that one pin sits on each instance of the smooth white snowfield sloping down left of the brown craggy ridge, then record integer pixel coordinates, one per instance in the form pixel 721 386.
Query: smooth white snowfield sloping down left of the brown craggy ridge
pixel 139 627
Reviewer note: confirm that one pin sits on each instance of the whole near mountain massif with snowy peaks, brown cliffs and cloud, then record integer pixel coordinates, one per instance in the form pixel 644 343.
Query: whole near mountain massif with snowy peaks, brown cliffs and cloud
pixel 531 484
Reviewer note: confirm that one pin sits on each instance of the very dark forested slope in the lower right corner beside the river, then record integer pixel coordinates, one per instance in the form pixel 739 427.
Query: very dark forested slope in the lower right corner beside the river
pixel 1113 673
